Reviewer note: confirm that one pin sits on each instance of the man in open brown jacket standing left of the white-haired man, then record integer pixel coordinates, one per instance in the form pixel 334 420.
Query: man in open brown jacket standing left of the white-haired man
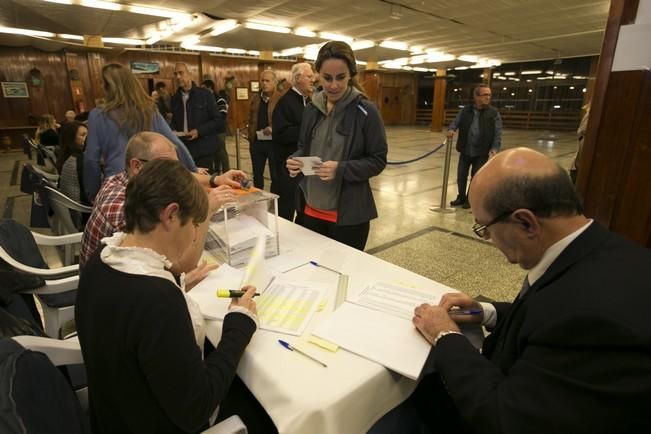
pixel 260 130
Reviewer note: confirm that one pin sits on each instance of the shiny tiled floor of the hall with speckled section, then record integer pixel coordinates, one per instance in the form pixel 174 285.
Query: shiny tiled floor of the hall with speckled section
pixel 439 246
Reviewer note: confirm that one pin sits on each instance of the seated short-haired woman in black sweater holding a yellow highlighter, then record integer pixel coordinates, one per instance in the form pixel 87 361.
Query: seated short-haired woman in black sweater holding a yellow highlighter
pixel 140 335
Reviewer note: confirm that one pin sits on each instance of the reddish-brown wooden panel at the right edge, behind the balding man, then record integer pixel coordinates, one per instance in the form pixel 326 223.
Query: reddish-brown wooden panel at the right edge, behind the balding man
pixel 632 209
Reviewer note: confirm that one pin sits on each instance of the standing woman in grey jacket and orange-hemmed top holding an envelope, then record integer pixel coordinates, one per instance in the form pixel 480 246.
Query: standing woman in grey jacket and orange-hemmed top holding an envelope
pixel 346 131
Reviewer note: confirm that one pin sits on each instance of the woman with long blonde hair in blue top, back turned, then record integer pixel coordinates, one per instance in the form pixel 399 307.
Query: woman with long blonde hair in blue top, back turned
pixel 127 109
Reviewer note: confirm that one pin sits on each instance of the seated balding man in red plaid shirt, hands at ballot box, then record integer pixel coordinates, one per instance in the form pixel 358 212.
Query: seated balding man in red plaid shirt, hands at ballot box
pixel 107 216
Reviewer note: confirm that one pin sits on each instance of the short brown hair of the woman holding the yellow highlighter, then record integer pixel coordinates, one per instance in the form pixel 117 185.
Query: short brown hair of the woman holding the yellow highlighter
pixel 160 183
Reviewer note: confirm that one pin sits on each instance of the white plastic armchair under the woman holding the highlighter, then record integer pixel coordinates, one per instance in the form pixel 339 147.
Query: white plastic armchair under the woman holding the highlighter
pixel 68 352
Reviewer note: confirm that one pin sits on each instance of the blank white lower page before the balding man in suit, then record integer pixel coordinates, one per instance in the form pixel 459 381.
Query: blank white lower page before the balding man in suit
pixel 386 339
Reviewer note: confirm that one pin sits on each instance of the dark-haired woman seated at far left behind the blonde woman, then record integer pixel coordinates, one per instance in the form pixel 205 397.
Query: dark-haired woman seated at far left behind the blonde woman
pixel 70 160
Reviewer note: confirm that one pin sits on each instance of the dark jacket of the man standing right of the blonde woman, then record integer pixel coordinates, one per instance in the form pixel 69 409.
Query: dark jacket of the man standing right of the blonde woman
pixel 202 115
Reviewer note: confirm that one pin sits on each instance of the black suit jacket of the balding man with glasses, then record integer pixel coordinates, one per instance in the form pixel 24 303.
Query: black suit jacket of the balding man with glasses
pixel 573 356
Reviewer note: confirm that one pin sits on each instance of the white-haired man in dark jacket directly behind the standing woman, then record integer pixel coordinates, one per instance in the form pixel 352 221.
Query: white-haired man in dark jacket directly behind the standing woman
pixel 287 118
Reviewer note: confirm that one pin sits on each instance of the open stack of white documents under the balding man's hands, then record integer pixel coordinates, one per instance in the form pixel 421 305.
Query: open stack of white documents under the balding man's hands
pixel 376 324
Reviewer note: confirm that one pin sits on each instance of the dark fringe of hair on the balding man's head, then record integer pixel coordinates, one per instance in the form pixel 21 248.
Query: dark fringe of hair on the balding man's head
pixel 546 196
